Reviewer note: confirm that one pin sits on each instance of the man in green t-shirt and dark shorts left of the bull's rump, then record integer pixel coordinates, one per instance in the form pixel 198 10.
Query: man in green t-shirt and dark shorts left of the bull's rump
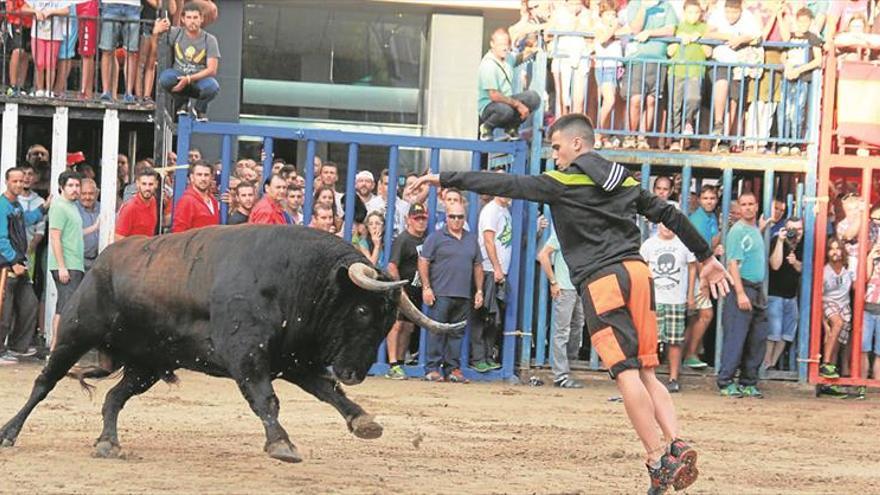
pixel 66 261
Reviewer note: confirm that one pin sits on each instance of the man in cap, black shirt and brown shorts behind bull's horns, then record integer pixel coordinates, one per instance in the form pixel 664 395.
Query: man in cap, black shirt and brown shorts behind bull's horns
pixel 403 265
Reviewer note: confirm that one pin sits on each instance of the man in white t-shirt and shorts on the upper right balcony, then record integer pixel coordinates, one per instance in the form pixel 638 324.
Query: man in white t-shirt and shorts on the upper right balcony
pixel 739 28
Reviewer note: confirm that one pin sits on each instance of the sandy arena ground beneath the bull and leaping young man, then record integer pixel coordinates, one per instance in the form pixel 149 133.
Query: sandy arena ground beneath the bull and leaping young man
pixel 200 437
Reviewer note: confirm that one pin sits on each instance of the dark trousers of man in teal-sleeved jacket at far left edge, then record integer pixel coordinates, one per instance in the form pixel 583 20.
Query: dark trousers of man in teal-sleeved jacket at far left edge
pixel 20 305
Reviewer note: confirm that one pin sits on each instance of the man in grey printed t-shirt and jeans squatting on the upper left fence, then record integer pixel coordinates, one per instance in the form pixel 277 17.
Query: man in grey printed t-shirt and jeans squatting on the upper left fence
pixel 196 56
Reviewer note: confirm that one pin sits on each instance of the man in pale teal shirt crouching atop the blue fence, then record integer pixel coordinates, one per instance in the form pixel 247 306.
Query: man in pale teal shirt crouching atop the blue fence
pixel 497 105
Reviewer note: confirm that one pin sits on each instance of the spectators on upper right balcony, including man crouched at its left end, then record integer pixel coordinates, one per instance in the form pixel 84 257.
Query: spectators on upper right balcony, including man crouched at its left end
pixel 680 67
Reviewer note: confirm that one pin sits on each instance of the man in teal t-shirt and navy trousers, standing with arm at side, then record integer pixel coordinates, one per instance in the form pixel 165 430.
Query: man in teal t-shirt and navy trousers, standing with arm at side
pixel 745 309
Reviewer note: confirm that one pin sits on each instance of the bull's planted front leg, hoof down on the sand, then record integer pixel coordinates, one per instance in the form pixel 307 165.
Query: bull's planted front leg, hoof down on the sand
pixel 256 386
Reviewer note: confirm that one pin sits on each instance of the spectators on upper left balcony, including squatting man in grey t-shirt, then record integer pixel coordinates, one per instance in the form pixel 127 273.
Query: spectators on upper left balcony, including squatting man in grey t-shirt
pixel 60 36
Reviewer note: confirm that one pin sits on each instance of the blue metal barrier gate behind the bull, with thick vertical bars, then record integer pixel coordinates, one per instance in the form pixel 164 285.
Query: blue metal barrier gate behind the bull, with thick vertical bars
pixel 517 151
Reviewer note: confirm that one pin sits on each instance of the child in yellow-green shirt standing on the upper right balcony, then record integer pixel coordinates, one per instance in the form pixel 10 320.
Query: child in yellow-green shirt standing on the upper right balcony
pixel 687 79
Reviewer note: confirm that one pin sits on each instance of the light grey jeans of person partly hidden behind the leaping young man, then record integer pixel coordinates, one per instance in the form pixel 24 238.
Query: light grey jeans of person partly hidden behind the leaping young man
pixel 568 329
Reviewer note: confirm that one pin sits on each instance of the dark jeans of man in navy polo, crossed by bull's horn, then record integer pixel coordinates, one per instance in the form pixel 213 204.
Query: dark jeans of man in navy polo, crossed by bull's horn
pixel 445 349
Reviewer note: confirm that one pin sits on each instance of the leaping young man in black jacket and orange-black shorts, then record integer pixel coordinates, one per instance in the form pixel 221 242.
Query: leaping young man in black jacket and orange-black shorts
pixel 593 202
